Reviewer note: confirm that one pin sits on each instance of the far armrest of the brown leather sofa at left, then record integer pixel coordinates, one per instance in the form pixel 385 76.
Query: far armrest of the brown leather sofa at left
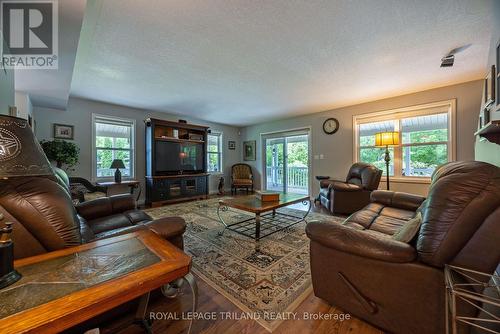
pixel 105 206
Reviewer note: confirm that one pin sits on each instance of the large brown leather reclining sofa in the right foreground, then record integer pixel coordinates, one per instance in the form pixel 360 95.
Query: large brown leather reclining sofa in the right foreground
pixel 398 286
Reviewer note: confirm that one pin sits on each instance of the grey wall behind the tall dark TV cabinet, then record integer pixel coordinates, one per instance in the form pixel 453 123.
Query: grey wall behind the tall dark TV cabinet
pixel 79 114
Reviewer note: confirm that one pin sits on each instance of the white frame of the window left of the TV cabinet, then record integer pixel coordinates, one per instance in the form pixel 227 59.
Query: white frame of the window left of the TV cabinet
pixel 96 118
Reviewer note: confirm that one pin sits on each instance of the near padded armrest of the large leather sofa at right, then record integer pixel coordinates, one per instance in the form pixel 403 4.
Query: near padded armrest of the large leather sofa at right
pixel 360 242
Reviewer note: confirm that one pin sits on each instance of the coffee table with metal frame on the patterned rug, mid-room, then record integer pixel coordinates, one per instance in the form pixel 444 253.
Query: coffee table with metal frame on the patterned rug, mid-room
pixel 263 224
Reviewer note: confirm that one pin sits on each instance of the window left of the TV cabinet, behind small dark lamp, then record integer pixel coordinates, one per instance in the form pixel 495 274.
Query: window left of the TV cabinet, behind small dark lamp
pixel 113 139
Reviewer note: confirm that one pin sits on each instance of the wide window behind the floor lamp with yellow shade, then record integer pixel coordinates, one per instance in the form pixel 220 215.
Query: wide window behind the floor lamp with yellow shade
pixel 426 137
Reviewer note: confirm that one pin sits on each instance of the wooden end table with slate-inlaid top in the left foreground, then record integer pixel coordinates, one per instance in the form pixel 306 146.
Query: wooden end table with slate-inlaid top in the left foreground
pixel 63 288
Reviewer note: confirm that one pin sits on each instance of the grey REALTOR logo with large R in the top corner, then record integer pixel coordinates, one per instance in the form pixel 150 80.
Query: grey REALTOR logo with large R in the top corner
pixel 30 34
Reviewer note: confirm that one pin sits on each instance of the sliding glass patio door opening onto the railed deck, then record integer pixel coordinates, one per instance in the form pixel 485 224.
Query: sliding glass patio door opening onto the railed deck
pixel 287 162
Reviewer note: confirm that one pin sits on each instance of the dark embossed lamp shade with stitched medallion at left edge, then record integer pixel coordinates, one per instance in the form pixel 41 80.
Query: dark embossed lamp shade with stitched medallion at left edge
pixel 20 152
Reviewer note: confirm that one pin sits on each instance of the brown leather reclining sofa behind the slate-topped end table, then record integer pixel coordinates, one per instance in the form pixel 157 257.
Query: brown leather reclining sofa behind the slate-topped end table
pixel 44 218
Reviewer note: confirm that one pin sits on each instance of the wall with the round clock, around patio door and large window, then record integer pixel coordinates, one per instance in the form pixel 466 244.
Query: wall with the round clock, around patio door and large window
pixel 338 148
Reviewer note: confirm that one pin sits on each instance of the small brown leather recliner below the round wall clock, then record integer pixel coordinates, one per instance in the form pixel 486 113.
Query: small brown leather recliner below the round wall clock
pixel 346 197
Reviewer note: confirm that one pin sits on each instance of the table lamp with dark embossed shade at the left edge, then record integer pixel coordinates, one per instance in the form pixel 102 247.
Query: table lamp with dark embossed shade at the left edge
pixel 20 156
